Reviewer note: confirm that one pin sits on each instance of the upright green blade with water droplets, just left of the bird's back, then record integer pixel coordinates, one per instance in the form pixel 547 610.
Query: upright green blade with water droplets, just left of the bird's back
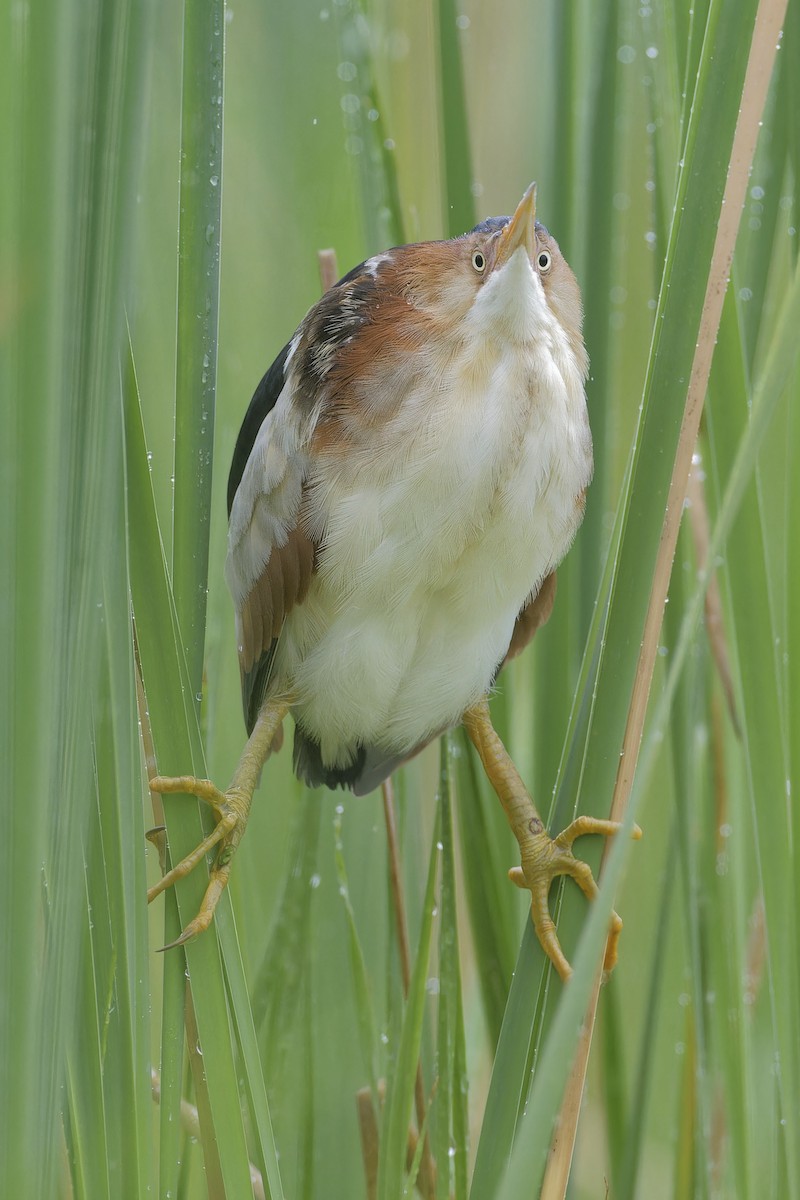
pixel 199 319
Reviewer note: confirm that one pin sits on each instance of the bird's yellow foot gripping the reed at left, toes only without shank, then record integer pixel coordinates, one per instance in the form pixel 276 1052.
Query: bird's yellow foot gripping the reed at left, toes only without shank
pixel 231 809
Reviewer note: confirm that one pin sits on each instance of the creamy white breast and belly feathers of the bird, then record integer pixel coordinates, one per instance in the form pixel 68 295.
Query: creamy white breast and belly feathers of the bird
pixel 432 538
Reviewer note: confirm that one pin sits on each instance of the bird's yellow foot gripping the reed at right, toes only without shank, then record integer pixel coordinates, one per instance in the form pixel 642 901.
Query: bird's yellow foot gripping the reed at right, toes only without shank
pixel 544 860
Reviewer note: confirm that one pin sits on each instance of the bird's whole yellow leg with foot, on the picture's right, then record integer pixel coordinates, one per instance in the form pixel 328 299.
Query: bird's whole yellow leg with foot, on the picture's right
pixel 544 859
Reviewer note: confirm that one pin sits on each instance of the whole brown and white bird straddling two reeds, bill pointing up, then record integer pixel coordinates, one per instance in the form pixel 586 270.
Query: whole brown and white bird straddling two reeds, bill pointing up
pixel 410 473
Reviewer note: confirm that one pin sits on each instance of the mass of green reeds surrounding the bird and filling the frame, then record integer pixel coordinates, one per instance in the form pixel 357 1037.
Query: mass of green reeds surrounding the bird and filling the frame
pixel 131 142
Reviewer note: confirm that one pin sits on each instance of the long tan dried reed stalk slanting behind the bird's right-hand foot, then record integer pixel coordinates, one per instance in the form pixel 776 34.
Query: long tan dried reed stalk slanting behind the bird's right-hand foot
pixel 769 21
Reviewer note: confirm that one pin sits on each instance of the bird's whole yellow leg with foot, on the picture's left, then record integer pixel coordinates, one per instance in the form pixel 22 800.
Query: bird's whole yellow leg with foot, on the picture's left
pixel 231 809
